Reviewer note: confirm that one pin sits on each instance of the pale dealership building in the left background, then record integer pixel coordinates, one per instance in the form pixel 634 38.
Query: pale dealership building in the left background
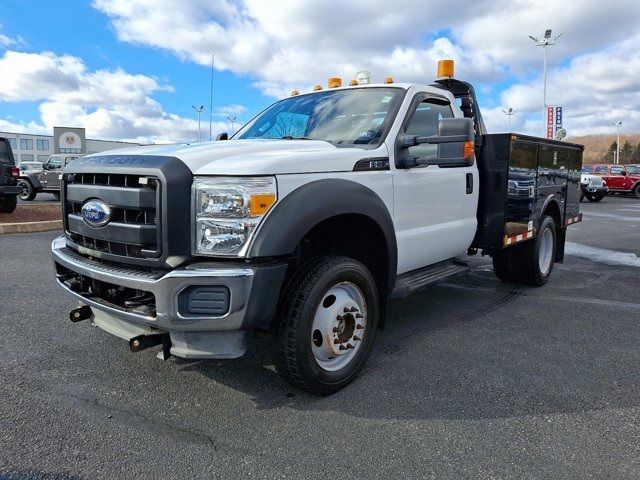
pixel 29 147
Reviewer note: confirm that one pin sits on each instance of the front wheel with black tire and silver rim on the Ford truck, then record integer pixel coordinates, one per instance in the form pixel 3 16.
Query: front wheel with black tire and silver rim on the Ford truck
pixel 328 316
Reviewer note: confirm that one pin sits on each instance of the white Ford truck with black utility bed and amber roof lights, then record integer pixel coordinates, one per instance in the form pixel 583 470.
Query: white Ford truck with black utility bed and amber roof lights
pixel 306 221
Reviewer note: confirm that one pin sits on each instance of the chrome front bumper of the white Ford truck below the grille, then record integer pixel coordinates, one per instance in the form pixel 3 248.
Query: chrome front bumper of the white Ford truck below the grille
pixel 192 336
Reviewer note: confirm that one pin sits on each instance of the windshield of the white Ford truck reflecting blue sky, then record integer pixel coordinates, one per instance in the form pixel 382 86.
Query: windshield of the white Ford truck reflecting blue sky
pixel 357 116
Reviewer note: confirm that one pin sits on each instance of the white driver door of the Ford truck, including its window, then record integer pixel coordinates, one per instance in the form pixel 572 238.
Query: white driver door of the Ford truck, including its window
pixel 434 207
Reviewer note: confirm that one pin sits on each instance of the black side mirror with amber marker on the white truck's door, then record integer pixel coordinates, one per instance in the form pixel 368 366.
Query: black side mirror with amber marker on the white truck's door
pixel 455 142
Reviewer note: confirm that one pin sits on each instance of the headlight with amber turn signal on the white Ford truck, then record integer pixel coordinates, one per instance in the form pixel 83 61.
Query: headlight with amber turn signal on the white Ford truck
pixel 228 210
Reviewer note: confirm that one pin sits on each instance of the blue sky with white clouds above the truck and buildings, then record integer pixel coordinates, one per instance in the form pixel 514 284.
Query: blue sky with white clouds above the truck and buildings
pixel 131 69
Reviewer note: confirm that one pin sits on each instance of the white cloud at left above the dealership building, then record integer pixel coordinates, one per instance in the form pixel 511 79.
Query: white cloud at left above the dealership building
pixel 109 104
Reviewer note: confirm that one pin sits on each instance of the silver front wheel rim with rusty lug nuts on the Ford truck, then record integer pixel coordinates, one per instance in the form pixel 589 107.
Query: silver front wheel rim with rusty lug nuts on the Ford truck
pixel 339 326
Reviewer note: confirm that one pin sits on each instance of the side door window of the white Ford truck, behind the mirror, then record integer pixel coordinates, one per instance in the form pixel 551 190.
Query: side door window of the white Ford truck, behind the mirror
pixel 424 123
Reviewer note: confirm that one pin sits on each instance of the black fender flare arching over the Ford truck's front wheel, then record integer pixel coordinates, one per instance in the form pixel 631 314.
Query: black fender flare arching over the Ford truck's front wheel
pixel 311 204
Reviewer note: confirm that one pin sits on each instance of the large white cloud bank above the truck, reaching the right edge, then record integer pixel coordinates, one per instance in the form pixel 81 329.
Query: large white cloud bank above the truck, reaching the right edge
pixel 293 44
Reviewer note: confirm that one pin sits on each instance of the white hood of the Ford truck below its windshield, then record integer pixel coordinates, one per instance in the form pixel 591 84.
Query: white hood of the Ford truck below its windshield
pixel 258 157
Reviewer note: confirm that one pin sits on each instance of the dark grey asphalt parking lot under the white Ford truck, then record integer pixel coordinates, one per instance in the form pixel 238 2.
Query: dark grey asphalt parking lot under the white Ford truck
pixel 471 379
